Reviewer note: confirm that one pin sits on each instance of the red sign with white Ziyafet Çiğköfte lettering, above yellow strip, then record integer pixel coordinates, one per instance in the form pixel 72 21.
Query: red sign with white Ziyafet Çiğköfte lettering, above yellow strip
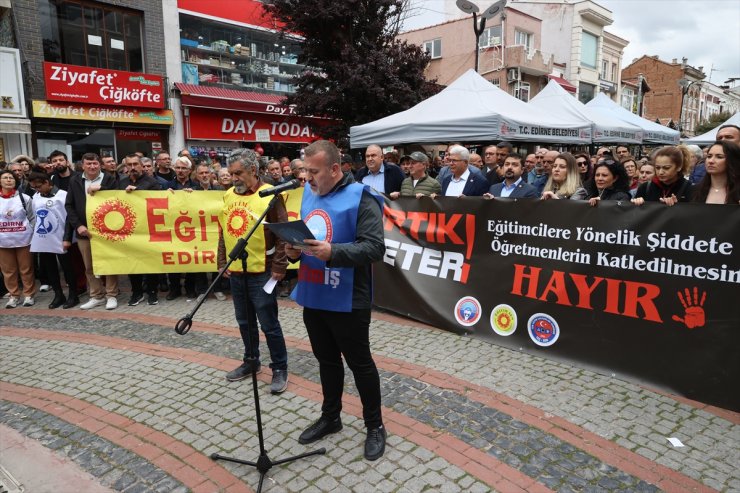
pixel 77 84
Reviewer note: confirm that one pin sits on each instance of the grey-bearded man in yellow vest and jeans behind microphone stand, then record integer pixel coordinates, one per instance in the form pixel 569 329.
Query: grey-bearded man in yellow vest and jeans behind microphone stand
pixel 266 259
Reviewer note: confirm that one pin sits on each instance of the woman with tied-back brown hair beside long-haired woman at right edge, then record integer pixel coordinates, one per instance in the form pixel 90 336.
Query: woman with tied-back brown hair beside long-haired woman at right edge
pixel 669 185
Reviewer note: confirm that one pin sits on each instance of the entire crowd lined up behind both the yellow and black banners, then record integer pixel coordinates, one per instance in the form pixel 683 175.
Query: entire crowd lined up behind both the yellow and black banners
pixel 46 198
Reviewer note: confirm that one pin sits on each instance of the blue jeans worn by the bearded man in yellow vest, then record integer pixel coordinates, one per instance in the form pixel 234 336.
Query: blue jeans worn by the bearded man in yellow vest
pixel 251 303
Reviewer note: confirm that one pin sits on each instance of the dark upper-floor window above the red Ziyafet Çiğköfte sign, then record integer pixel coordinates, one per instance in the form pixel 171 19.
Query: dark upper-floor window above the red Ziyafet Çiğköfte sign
pixel 88 34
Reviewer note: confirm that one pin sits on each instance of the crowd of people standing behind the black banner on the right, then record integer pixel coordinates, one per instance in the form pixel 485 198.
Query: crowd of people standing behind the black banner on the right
pixel 669 174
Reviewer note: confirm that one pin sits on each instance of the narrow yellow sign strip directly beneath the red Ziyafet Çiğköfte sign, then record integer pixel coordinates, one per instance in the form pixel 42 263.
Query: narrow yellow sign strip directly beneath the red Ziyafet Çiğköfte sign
pixel 46 109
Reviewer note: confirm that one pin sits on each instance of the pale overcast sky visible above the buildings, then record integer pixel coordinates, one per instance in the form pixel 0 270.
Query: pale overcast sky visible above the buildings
pixel 707 32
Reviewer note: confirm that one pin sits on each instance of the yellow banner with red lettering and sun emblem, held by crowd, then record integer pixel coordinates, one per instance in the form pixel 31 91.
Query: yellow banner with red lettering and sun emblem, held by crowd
pixel 154 232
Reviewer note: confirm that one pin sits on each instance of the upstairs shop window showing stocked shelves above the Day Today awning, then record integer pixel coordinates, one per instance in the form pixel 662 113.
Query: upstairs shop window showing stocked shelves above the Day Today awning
pixel 215 53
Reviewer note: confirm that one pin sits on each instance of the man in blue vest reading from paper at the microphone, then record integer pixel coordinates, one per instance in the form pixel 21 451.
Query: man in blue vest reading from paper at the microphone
pixel 335 289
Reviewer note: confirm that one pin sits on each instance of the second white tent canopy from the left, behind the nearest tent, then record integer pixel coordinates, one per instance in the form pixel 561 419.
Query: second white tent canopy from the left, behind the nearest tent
pixel 557 101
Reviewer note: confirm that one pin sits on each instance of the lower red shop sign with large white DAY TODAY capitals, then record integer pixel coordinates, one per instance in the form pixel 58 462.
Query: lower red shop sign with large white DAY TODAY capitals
pixel 204 124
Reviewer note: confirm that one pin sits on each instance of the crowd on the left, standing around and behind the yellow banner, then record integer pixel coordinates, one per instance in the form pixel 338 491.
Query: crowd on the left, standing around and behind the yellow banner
pixel 46 231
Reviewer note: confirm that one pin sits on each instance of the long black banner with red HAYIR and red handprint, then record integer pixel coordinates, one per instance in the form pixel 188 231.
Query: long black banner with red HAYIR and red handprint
pixel 646 293
